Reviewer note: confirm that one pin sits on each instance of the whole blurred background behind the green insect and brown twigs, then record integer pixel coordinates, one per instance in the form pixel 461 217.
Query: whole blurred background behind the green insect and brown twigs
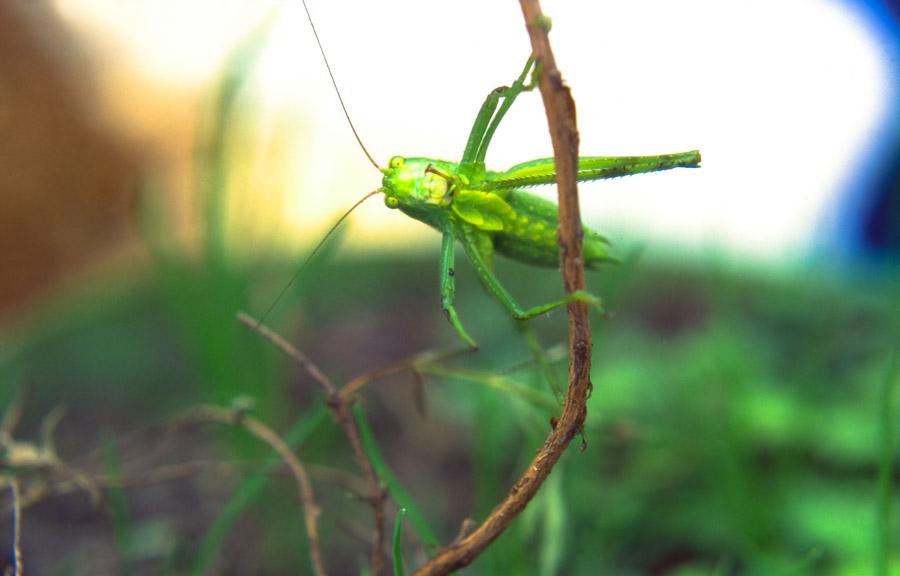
pixel 165 164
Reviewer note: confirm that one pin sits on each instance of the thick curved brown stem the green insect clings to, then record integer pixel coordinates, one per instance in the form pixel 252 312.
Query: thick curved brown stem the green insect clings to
pixel 560 109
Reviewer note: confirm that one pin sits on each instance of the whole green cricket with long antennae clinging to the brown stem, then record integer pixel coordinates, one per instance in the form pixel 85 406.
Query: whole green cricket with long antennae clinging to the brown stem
pixel 488 211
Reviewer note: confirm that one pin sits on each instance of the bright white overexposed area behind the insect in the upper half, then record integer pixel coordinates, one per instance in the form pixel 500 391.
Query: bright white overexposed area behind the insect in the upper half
pixel 780 97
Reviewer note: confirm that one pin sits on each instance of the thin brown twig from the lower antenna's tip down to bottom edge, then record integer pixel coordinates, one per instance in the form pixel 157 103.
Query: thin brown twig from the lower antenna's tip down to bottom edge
pixel 340 408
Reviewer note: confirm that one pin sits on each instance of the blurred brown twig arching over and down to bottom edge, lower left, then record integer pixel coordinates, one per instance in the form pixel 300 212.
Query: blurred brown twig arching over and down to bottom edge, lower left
pixel 270 437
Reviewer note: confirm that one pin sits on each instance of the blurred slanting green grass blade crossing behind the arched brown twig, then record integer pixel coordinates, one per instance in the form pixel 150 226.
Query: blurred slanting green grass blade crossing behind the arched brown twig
pixel 249 491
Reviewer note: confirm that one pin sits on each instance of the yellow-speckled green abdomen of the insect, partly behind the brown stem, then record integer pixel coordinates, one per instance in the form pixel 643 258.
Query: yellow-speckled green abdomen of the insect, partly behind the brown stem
pixel 531 234
